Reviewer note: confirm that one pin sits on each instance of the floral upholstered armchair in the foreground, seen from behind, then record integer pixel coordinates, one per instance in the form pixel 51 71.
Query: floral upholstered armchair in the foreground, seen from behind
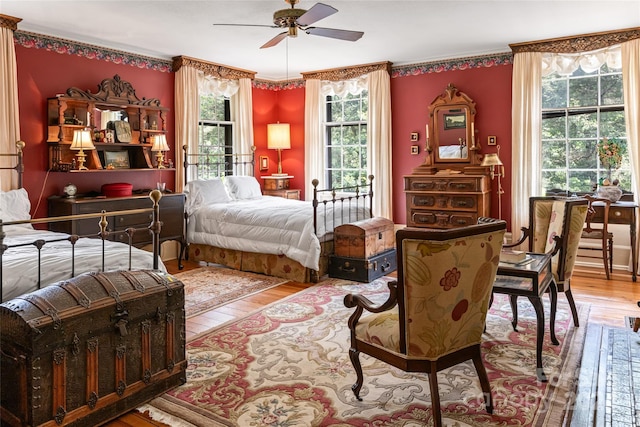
pixel 436 311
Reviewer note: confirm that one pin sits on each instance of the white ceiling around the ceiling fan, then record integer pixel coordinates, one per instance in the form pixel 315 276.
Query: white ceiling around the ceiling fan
pixel 403 32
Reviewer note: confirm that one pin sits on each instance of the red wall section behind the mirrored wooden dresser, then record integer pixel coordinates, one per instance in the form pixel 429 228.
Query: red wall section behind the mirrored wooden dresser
pixel 490 88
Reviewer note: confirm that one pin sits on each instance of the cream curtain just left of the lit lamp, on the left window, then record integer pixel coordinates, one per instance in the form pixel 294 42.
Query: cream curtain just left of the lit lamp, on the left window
pixel 242 116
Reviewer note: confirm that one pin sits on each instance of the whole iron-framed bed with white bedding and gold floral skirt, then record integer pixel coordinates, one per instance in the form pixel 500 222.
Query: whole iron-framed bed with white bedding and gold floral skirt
pixel 230 222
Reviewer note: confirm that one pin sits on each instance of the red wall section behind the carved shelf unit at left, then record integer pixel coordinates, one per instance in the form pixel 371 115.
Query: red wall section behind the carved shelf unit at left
pixel 43 74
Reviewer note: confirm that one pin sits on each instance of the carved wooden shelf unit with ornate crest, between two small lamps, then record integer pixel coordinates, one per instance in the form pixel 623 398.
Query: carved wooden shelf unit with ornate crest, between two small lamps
pixel 80 110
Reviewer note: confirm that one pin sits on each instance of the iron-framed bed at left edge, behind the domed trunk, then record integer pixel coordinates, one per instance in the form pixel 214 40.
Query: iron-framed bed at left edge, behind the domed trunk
pixel 31 258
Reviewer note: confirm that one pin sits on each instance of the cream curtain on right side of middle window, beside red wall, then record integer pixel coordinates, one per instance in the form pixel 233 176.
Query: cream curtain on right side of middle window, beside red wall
pixel 379 142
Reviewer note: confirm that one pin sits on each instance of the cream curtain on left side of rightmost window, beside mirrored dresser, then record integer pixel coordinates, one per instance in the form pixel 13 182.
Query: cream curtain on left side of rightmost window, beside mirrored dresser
pixel 526 116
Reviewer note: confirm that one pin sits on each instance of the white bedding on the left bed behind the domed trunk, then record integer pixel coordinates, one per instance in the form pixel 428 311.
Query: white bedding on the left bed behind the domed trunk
pixel 20 269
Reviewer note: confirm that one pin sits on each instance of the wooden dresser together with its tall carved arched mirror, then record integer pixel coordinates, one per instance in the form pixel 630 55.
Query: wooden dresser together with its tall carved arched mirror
pixel 450 189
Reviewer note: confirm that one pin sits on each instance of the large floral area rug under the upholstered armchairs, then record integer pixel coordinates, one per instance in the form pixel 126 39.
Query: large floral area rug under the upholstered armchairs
pixel 288 365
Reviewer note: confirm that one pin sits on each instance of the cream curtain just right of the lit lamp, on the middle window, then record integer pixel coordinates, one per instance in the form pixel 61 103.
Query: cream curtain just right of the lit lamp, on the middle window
pixel 314 158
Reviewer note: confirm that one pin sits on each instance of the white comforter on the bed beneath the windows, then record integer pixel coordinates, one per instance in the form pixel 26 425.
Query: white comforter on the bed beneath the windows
pixel 271 225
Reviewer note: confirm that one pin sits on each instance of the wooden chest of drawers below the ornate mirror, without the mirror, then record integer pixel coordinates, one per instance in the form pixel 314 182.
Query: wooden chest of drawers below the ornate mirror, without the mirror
pixel 446 200
